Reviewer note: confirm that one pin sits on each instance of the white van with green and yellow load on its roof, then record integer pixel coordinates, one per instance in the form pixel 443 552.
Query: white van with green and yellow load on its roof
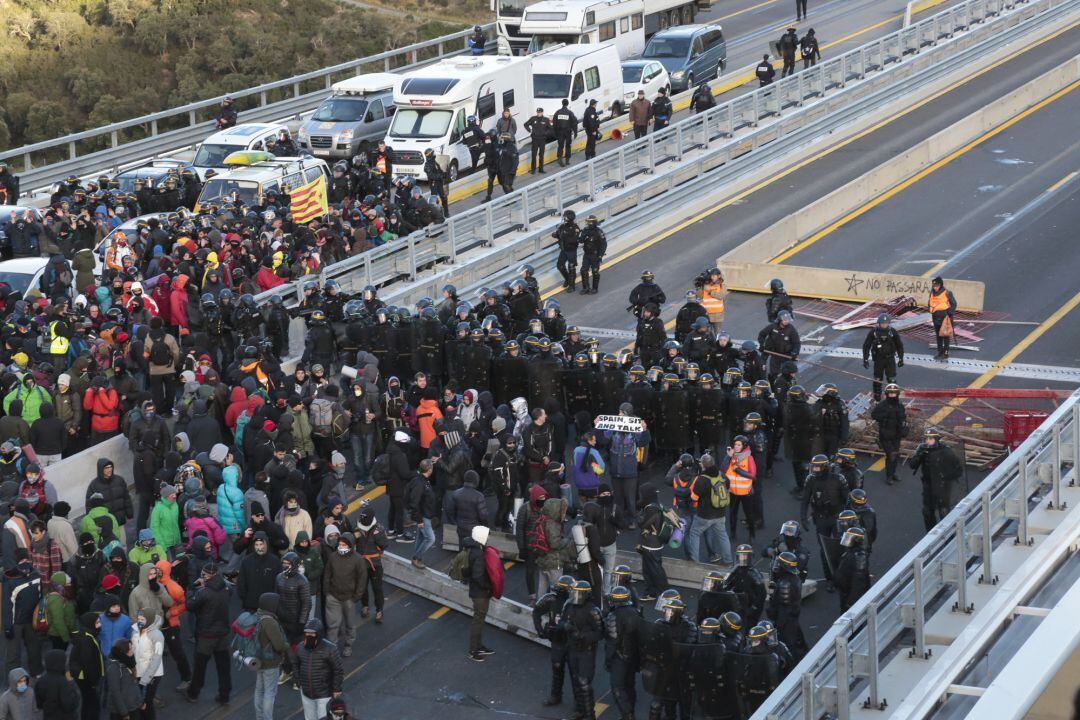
pixel 251 183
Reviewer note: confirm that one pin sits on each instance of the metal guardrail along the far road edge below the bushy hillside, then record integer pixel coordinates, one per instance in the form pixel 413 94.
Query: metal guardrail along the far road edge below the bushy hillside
pixel 148 137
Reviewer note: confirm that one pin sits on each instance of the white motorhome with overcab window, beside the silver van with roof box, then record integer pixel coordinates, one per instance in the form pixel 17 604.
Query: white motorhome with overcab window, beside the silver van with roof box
pixel 435 103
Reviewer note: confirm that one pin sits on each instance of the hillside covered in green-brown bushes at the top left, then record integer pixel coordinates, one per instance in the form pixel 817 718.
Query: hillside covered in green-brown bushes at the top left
pixel 69 65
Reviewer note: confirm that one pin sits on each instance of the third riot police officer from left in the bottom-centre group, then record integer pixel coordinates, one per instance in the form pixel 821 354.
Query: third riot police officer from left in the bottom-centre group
pixel 622 624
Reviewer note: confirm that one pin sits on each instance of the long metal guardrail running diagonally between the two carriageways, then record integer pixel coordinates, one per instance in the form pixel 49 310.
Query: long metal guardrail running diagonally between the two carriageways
pixel 701 153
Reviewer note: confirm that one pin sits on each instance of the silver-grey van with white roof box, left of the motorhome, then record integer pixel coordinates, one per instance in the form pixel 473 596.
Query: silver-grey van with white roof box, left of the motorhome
pixel 359 110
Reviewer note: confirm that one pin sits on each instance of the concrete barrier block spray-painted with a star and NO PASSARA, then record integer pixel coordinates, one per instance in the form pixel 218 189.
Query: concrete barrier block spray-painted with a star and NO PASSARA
pixel 854 286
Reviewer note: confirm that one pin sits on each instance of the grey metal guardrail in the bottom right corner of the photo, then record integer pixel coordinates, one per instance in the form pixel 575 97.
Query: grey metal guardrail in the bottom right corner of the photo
pixel 892 618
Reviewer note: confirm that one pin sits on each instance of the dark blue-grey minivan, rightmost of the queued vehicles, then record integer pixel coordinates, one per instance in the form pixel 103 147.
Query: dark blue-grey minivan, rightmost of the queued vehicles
pixel 691 53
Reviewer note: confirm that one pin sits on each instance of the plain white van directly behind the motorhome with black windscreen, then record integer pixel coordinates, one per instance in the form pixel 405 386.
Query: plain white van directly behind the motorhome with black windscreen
pixel 578 74
